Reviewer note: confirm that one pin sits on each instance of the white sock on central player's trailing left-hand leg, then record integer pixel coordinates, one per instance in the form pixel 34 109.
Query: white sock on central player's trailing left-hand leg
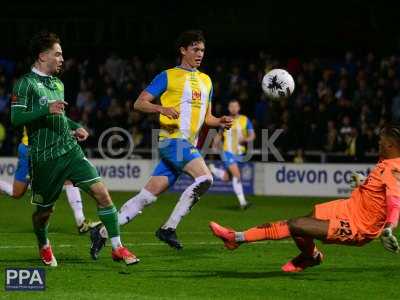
pixel 134 206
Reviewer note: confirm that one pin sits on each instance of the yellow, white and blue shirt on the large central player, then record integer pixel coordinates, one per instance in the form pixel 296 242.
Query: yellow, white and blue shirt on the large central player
pixel 190 93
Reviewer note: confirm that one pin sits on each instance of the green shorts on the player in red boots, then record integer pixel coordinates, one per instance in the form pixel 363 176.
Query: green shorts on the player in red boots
pixel 48 177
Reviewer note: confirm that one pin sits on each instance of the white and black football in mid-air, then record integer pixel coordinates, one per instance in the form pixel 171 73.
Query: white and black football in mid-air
pixel 277 84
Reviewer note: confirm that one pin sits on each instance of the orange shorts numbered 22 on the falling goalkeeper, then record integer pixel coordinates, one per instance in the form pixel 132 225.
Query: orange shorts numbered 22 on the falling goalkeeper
pixel 342 229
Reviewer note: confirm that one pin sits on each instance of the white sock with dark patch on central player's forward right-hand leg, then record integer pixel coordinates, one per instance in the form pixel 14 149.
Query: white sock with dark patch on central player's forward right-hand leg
pixel 188 198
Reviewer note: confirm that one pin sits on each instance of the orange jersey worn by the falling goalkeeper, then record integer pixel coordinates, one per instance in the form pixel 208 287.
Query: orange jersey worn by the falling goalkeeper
pixel 367 203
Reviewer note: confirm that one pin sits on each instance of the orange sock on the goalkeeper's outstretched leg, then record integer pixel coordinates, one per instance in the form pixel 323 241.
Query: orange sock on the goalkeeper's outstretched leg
pixel 270 231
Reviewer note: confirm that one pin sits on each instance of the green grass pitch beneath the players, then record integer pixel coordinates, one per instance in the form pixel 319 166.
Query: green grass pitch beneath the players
pixel 203 269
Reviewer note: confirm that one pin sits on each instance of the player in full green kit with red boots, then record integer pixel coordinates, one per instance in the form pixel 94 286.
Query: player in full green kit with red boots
pixel 38 104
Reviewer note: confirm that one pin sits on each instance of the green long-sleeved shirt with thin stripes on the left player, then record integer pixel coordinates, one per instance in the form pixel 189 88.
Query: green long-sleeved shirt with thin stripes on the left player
pixel 49 134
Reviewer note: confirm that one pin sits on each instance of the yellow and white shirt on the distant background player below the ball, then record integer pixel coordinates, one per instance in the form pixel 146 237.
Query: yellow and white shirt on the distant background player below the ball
pixel 241 127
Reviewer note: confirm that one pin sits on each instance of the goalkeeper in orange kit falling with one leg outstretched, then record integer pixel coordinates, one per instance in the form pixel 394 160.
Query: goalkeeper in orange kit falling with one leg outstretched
pixel 372 211
